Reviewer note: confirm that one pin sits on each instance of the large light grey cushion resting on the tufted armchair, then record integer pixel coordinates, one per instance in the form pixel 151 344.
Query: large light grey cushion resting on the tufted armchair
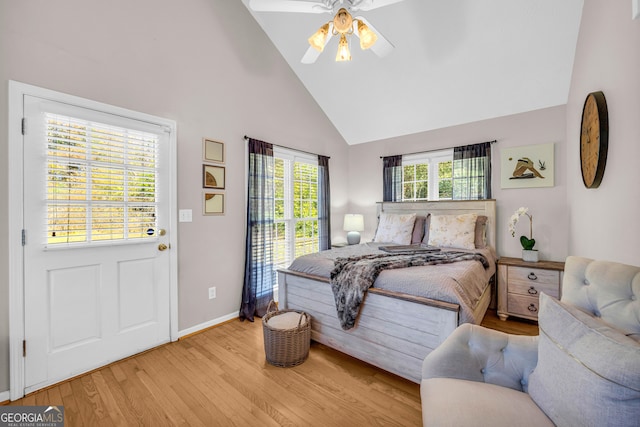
pixel 588 371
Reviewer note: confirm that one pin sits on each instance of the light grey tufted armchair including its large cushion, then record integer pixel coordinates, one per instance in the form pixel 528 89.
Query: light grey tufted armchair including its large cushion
pixel 582 370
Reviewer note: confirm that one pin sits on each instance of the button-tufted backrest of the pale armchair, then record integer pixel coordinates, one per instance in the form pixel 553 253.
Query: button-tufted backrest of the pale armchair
pixel 605 289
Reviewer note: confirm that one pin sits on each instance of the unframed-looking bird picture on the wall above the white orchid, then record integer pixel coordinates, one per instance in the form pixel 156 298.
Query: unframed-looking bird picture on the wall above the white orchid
pixel 527 166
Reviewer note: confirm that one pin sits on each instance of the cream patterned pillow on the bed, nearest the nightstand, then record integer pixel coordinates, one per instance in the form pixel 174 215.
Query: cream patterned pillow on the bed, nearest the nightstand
pixel 453 231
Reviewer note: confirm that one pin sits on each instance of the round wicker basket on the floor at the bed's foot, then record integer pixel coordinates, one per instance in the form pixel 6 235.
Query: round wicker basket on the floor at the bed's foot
pixel 286 347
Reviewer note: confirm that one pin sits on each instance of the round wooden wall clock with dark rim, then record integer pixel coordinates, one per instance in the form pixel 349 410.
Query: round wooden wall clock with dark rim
pixel 594 139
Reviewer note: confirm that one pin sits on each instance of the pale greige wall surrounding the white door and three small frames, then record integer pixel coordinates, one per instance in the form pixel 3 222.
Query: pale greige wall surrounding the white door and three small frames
pixel 204 63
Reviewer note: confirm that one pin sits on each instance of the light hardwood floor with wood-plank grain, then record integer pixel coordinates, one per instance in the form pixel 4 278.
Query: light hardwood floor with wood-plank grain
pixel 220 377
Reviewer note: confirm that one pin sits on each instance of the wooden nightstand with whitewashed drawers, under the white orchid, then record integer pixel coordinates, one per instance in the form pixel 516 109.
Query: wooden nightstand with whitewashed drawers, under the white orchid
pixel 520 284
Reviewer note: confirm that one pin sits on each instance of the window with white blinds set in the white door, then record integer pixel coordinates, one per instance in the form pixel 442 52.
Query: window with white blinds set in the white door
pixel 101 182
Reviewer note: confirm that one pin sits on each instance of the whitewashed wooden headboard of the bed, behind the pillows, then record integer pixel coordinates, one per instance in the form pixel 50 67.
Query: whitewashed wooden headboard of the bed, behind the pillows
pixel 448 207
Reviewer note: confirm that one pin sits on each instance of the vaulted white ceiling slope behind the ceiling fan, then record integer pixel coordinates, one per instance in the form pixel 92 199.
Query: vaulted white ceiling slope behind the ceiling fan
pixel 454 62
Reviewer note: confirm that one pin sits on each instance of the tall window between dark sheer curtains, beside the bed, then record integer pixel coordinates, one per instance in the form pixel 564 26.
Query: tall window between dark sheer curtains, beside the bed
pixel 296 206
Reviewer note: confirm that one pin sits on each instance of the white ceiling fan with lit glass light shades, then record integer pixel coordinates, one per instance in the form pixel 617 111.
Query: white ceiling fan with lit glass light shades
pixel 342 24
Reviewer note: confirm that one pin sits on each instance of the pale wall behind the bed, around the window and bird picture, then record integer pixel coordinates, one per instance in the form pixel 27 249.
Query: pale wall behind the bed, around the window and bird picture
pixel 548 205
